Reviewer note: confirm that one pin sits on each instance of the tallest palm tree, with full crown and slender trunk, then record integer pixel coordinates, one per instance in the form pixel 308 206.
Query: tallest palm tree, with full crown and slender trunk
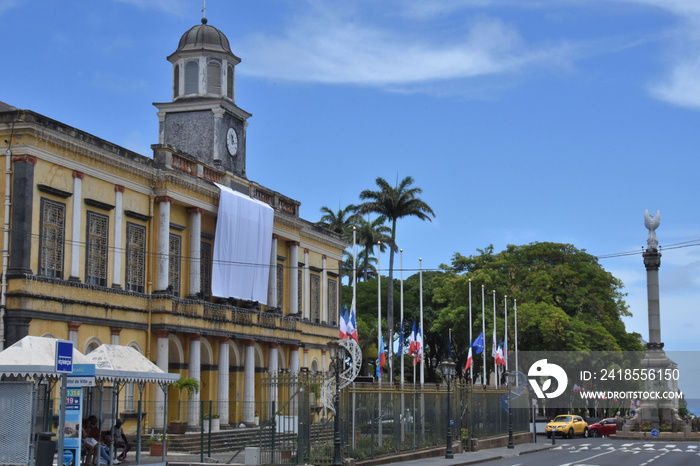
pixel 394 203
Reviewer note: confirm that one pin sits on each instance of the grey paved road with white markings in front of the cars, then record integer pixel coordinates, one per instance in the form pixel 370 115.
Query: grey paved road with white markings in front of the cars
pixel 604 452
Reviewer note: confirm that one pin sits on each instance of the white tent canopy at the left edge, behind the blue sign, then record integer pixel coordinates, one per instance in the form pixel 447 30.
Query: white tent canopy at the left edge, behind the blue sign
pixel 34 357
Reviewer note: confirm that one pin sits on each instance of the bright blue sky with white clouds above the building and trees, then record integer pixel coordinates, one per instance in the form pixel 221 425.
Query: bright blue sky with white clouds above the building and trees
pixel 522 120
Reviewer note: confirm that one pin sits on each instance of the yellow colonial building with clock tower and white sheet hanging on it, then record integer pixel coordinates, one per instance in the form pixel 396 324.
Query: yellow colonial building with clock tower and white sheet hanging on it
pixel 104 245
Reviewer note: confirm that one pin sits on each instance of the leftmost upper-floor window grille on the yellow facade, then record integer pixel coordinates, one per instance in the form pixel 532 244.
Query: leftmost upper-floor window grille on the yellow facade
pixel 53 217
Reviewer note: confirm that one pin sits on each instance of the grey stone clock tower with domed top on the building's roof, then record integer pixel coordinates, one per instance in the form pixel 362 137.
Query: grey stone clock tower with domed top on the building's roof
pixel 203 120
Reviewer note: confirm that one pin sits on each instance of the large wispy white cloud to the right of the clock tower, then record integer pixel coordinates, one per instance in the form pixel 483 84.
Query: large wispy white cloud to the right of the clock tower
pixel 328 47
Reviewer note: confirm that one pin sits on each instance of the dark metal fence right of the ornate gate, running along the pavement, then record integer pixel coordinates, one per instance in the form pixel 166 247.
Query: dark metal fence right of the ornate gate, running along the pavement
pixel 385 420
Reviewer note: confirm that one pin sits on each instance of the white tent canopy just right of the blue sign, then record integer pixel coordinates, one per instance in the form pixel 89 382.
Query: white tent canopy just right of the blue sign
pixel 117 363
